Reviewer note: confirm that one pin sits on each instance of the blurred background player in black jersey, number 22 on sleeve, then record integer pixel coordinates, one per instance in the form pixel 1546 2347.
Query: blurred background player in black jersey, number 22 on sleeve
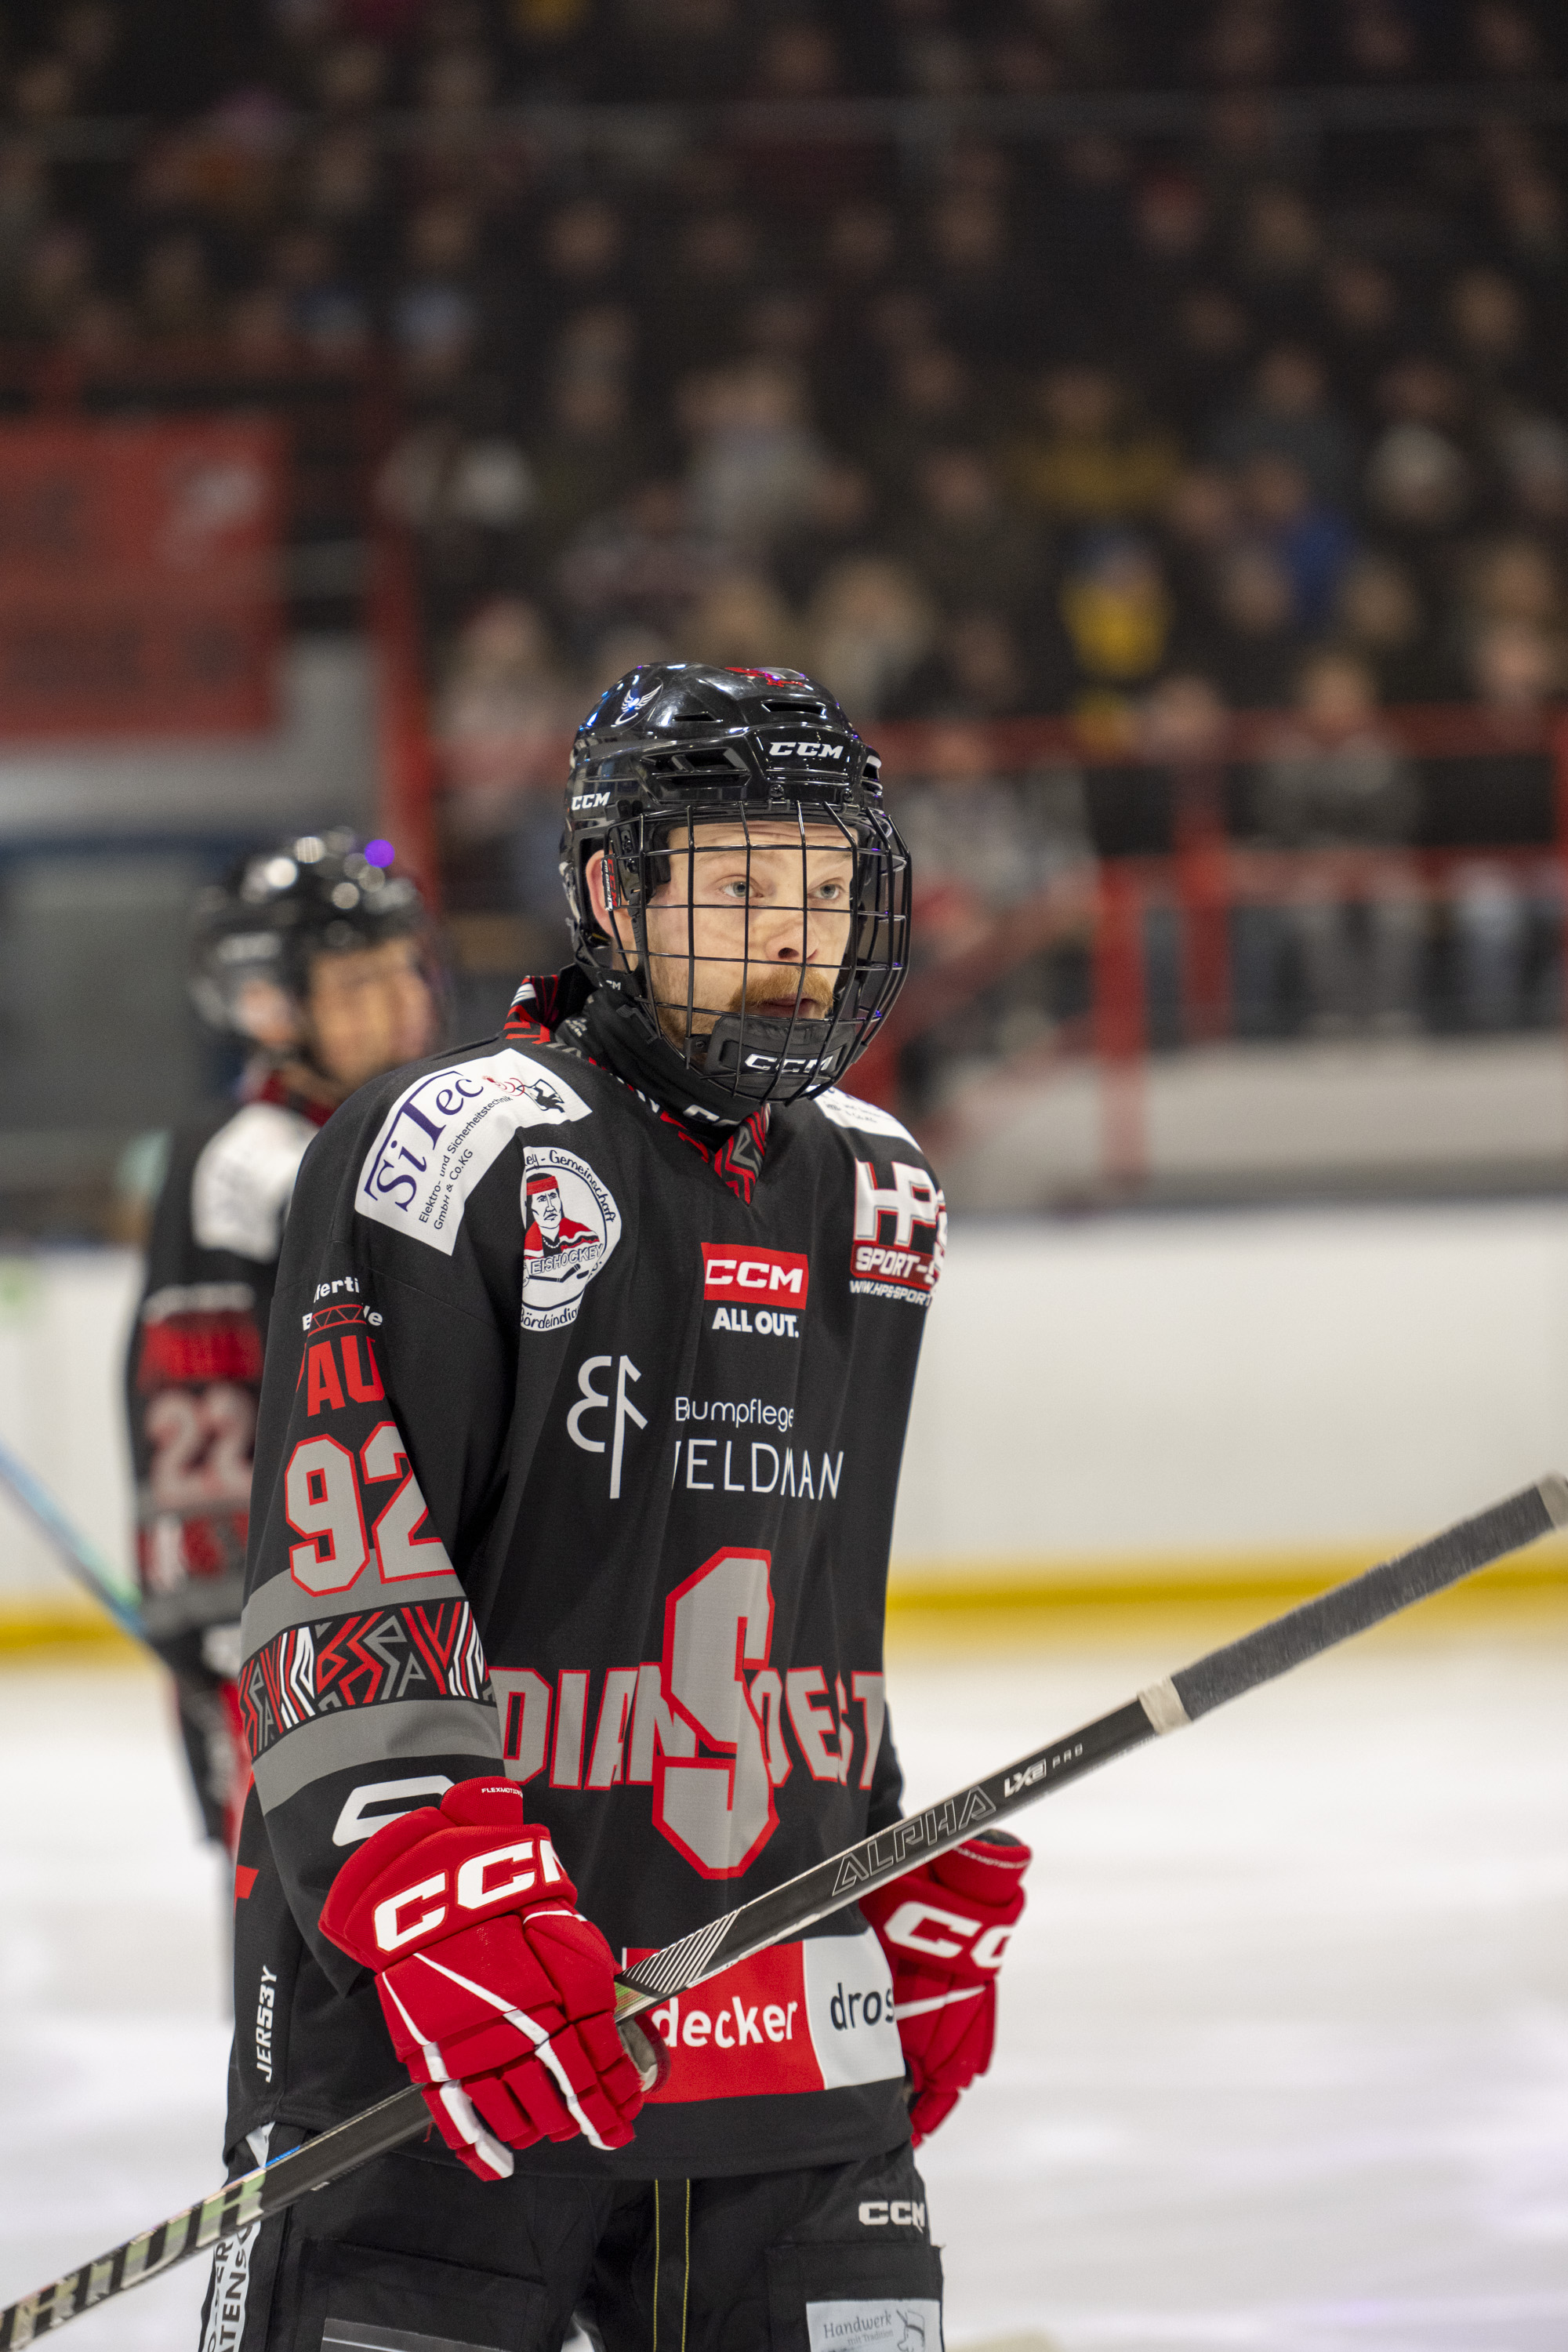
pixel 316 956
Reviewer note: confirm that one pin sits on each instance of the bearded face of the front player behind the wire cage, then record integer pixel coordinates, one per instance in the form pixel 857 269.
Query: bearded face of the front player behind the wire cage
pixel 746 926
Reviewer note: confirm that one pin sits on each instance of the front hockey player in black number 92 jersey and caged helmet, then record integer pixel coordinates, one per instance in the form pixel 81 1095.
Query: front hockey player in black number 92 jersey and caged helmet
pixel 563 1633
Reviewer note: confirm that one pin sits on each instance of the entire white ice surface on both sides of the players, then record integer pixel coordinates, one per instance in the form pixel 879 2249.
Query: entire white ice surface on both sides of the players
pixel 1285 2047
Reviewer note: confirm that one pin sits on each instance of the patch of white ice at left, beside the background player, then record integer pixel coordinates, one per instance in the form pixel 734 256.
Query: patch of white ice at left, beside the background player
pixel 114 2036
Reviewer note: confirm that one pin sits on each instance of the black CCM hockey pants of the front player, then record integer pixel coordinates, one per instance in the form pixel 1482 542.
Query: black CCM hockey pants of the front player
pixel 413 2254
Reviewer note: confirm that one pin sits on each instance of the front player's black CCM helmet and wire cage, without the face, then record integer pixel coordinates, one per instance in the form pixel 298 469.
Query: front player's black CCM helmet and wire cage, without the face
pixel 681 744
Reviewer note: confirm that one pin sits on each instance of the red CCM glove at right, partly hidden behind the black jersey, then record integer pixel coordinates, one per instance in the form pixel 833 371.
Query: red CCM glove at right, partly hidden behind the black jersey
pixel 944 1930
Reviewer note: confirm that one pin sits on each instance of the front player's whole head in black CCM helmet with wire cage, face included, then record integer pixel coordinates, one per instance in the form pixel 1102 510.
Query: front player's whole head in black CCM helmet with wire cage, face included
pixel 681 761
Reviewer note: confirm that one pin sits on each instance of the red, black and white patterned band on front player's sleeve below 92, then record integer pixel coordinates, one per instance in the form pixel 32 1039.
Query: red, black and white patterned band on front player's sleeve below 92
pixel 366 1659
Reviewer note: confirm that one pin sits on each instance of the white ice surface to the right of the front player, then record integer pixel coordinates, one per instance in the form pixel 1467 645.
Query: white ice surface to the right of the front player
pixel 1285 2036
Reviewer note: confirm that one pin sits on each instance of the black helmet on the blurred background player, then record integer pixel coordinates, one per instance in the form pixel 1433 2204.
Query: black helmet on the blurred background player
pixel 281 909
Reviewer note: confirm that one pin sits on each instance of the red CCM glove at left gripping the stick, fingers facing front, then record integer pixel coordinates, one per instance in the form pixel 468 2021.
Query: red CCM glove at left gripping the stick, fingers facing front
pixel 500 1996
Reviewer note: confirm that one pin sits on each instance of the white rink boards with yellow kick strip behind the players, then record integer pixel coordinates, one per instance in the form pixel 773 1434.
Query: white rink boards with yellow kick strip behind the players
pixel 1125 1401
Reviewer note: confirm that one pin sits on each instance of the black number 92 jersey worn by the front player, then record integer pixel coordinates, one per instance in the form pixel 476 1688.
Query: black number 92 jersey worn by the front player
pixel 579 1462
